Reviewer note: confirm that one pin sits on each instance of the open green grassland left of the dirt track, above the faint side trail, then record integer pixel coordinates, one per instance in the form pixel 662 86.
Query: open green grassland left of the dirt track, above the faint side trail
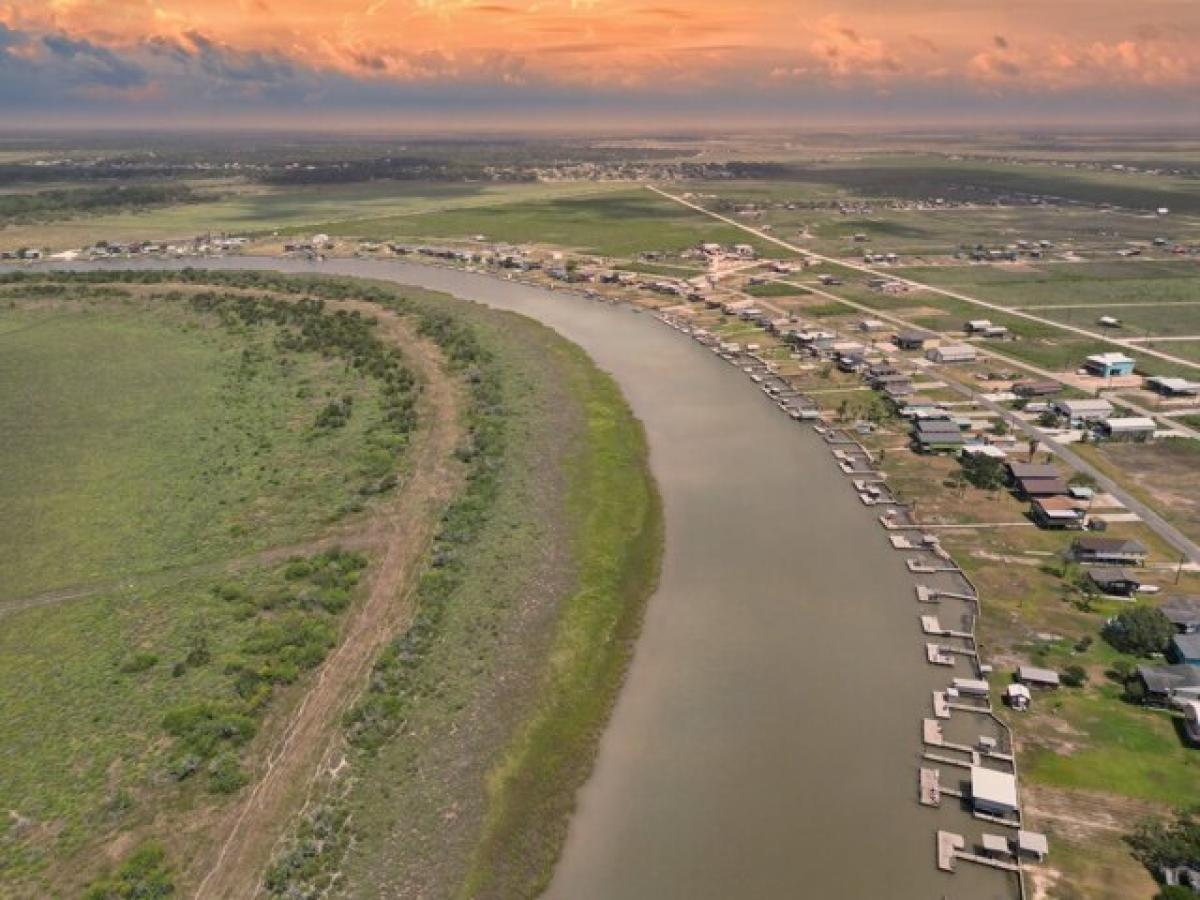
pixel 148 441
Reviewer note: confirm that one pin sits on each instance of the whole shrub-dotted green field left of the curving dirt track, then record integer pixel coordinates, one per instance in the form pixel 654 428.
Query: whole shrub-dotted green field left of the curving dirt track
pixel 136 703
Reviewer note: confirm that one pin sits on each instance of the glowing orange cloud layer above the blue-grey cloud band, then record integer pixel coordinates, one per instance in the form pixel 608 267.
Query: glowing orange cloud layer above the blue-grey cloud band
pixel 1154 44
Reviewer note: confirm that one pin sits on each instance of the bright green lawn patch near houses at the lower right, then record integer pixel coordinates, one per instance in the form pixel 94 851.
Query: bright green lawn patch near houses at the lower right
pixel 1125 751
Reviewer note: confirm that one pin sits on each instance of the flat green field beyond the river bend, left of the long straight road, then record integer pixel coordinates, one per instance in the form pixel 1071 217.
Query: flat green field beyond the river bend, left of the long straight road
pixel 615 223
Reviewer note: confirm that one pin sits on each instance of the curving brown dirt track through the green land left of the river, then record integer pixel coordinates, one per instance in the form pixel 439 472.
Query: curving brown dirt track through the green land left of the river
pixel 248 832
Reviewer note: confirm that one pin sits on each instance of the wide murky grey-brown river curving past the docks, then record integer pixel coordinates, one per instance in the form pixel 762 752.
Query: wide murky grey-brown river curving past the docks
pixel 767 740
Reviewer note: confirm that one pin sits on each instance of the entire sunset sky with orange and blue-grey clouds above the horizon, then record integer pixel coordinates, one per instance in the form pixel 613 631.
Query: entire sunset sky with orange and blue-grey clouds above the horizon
pixel 605 64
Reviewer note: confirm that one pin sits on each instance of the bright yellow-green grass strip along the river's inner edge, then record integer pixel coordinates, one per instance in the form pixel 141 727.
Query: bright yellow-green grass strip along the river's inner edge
pixel 616 524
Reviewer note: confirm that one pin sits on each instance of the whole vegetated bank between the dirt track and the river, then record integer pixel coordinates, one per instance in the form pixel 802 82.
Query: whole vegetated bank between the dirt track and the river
pixel 482 719
